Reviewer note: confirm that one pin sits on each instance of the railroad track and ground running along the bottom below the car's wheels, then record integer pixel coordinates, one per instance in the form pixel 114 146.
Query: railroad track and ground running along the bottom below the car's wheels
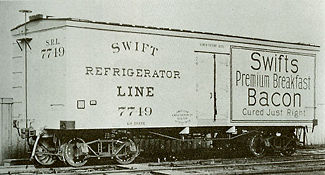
pixel 301 162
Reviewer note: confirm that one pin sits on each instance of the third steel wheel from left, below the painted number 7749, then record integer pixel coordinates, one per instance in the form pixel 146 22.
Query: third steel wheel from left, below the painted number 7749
pixel 127 151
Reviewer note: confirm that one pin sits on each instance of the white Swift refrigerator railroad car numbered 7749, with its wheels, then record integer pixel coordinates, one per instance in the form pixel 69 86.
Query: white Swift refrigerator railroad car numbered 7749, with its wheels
pixel 94 89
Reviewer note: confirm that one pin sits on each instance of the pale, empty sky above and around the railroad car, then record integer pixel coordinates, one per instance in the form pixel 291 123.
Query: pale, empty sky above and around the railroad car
pixel 285 20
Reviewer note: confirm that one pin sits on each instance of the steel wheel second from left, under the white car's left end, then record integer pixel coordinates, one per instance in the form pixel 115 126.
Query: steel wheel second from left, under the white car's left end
pixel 75 152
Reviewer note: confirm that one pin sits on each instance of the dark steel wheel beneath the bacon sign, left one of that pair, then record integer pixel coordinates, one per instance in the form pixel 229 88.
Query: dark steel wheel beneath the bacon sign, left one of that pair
pixel 257 145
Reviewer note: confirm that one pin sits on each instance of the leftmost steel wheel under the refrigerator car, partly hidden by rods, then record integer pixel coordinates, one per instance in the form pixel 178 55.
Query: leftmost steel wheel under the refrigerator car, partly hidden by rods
pixel 43 154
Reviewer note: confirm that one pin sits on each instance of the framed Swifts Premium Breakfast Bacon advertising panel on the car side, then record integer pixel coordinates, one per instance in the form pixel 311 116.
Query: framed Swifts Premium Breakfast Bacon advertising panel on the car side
pixel 272 85
